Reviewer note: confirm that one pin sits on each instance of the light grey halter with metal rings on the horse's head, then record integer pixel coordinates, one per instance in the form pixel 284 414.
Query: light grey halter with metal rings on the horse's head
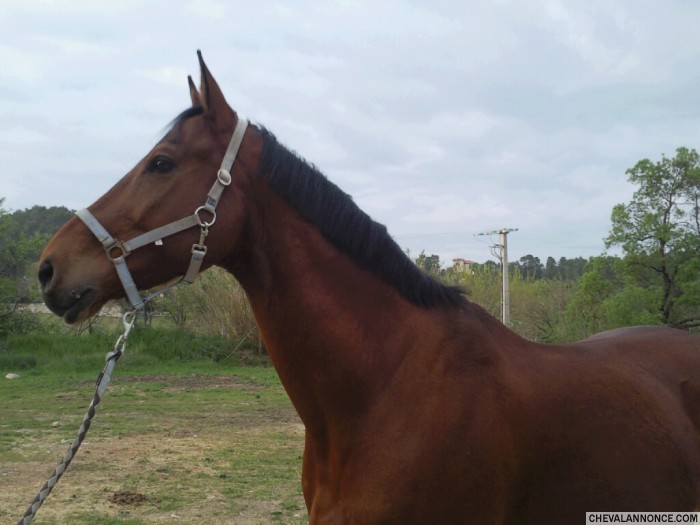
pixel 117 251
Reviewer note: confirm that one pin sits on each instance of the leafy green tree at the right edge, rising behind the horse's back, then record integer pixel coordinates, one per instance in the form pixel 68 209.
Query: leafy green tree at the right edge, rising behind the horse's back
pixel 659 230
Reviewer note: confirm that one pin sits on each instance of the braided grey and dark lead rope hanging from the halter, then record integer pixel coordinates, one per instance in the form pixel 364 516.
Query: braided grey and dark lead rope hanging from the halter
pixel 102 381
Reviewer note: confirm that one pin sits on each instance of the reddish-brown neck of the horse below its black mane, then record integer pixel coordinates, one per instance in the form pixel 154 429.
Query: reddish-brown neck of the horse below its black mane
pixel 335 332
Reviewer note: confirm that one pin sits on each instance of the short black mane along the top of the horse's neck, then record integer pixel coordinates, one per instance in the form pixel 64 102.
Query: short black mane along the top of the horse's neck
pixel 347 227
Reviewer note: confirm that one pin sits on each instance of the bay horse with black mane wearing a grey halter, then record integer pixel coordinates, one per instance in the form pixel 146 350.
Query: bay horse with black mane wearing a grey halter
pixel 419 406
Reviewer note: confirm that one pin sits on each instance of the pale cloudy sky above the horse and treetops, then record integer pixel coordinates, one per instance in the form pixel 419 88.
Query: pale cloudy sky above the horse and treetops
pixel 442 119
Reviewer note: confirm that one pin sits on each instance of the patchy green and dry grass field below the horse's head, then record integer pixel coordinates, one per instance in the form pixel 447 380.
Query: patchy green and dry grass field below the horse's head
pixel 178 437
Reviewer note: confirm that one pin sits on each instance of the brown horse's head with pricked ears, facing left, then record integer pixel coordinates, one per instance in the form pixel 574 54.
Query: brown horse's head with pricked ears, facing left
pixel 171 182
